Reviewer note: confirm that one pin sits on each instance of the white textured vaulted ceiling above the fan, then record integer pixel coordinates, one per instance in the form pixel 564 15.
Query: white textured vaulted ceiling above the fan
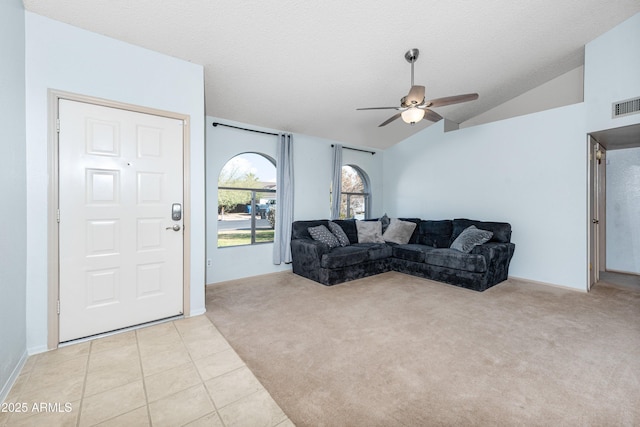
pixel 305 66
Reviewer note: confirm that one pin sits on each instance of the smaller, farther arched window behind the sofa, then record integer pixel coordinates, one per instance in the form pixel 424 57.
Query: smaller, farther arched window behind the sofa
pixel 355 193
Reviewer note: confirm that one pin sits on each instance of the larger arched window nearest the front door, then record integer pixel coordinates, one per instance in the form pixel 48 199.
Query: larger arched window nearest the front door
pixel 247 200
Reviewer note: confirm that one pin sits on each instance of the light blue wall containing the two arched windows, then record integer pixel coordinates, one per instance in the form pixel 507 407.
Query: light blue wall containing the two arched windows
pixel 312 174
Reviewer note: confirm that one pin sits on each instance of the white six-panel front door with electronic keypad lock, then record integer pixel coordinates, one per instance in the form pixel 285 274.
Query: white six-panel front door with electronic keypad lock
pixel 120 249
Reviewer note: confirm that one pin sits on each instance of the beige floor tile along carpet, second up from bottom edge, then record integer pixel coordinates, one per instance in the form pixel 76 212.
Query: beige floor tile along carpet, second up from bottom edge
pixel 232 386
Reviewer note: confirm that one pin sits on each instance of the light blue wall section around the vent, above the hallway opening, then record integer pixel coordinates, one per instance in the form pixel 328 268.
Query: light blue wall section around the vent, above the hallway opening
pixel 611 74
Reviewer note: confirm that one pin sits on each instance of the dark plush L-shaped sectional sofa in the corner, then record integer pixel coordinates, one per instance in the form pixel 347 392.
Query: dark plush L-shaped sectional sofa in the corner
pixel 427 254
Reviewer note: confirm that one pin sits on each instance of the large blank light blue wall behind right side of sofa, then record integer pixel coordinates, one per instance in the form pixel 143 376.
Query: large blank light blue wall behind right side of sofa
pixel 530 171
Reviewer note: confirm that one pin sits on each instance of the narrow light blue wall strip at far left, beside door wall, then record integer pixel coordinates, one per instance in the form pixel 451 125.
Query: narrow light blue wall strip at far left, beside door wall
pixel 13 187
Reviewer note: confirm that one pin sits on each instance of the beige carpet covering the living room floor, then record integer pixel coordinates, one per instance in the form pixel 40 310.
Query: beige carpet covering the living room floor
pixel 396 350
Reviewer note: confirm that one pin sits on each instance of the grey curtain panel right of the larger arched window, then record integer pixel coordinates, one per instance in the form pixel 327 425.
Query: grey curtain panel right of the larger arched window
pixel 284 200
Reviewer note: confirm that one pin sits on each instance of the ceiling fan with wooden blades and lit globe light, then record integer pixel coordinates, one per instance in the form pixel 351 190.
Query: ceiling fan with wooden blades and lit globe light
pixel 414 107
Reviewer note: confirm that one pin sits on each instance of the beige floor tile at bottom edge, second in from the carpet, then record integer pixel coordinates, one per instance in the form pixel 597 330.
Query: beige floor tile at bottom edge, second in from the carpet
pixel 181 408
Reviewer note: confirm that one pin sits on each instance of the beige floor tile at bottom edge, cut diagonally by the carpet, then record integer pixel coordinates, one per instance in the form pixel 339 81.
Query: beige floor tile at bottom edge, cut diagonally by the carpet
pixel 255 410
